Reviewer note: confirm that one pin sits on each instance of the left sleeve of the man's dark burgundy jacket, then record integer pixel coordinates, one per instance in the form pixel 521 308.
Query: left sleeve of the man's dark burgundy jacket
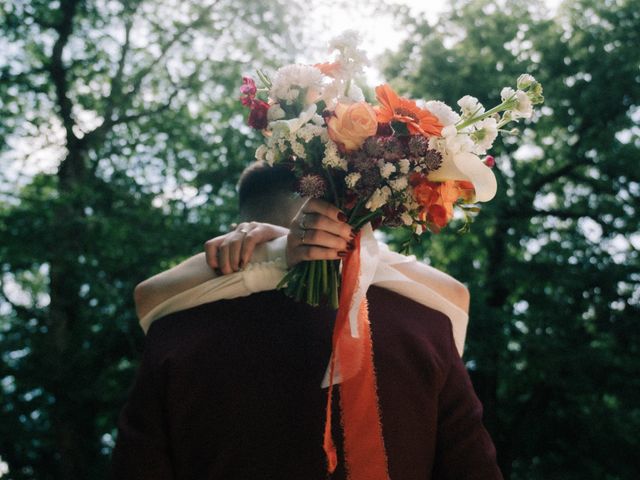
pixel 142 449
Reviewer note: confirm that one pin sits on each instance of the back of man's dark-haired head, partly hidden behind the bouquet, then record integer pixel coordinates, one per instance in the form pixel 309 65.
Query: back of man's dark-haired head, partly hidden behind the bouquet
pixel 267 194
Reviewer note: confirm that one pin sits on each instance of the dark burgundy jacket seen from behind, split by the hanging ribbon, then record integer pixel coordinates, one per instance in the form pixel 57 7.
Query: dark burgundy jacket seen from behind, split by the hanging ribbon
pixel 231 390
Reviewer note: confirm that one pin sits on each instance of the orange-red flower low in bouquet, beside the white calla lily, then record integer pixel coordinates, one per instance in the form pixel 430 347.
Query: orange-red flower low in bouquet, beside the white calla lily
pixel 437 200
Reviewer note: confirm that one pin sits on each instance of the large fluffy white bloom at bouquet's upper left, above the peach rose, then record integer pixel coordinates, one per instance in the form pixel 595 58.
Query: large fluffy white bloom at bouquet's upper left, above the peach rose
pixel 290 79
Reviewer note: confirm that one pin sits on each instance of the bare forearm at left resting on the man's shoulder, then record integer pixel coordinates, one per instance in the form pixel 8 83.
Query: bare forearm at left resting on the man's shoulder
pixel 155 290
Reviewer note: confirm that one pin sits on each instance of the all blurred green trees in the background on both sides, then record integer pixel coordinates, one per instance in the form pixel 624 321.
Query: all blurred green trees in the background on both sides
pixel 129 109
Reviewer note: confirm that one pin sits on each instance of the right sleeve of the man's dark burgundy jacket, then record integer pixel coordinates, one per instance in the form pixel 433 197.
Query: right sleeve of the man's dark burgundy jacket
pixel 464 449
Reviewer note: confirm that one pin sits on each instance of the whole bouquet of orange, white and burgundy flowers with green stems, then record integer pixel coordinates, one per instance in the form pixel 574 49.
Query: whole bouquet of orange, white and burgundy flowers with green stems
pixel 398 163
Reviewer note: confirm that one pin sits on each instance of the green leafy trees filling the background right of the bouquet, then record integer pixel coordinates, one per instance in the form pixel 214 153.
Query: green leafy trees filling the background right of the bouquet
pixel 552 262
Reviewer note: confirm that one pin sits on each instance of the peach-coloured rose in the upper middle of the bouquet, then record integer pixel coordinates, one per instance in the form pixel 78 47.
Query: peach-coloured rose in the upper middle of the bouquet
pixel 352 124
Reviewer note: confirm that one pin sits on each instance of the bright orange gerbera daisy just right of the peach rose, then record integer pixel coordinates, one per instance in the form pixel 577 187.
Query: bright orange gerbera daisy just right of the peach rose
pixel 420 121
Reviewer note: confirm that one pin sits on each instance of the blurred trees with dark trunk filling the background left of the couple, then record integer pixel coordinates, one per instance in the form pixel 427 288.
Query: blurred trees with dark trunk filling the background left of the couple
pixel 134 106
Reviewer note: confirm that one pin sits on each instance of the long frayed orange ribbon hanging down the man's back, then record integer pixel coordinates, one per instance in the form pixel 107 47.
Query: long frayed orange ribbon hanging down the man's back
pixel 364 451
